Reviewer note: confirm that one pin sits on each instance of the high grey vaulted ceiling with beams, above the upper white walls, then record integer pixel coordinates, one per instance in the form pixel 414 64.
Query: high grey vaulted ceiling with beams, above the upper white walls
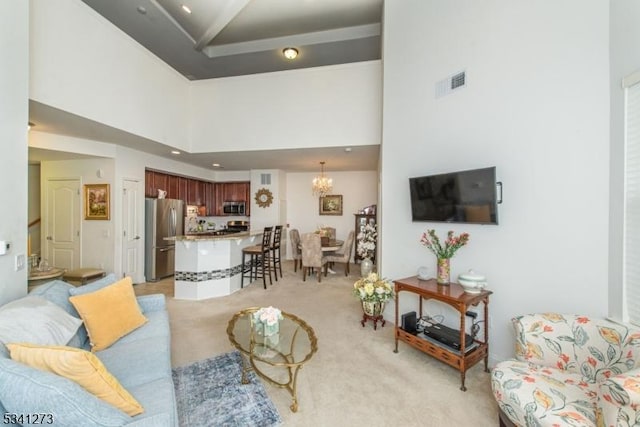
pixel 222 38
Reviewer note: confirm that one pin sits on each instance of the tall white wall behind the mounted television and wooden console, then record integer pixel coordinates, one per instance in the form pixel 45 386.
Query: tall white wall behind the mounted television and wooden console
pixel 536 107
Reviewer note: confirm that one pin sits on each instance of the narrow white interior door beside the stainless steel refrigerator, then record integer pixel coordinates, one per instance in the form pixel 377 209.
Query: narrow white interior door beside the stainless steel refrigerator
pixel 131 241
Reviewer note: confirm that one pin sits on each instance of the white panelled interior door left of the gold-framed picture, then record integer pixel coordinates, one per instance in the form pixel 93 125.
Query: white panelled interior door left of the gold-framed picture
pixel 62 223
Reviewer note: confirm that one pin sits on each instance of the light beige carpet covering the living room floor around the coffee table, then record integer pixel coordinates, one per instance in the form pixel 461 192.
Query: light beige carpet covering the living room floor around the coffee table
pixel 355 378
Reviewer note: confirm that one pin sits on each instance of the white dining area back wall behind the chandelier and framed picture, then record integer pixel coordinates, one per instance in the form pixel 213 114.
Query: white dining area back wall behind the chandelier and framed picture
pixel 358 189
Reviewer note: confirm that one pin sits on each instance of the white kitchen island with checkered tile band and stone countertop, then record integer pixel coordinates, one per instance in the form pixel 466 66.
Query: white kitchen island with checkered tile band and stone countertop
pixel 209 265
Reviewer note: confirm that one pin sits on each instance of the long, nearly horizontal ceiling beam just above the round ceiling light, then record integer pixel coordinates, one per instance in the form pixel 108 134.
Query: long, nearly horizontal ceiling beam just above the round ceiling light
pixel 328 36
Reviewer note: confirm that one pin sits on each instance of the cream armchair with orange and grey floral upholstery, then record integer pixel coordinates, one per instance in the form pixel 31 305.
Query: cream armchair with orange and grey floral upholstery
pixel 570 370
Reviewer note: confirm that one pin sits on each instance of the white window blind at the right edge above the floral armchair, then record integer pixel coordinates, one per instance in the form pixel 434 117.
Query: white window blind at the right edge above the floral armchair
pixel 632 203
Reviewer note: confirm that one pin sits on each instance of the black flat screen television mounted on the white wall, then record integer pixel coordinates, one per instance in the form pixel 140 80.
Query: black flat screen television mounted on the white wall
pixel 467 197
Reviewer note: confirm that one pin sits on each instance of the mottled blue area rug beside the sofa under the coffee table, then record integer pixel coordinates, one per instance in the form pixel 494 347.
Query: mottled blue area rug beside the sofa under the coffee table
pixel 210 393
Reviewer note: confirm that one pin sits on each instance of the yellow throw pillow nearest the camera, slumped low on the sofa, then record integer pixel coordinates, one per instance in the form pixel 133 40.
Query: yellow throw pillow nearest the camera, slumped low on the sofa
pixel 79 366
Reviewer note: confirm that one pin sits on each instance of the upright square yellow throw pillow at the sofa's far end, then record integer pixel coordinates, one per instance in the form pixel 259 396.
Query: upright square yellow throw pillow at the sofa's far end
pixel 109 313
